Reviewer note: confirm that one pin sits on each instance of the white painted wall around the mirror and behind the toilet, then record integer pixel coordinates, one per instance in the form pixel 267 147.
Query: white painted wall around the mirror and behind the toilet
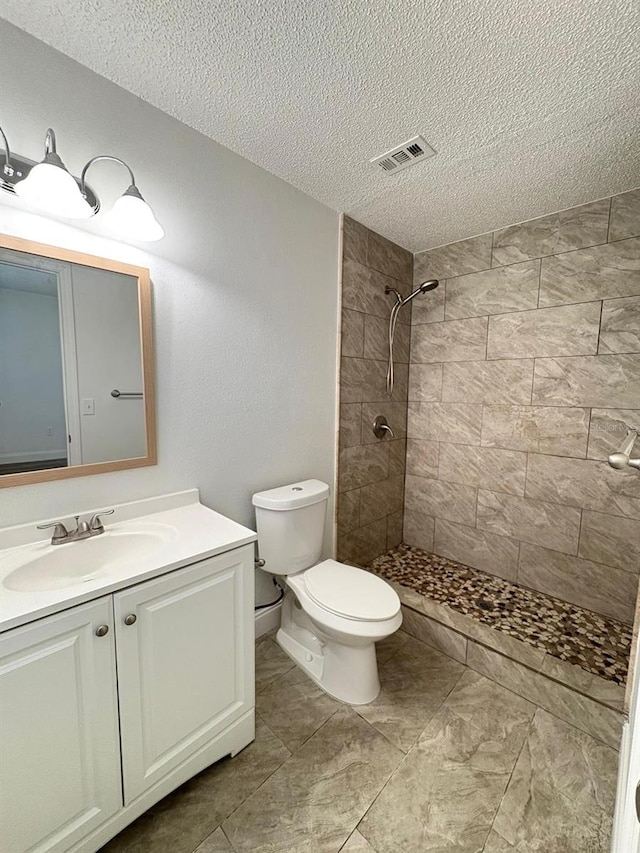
pixel 245 292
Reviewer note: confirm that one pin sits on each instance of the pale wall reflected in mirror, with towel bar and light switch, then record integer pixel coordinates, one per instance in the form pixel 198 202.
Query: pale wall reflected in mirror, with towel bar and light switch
pixel 108 353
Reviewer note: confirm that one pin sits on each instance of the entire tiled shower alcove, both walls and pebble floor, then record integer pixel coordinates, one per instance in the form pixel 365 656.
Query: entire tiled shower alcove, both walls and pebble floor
pixel 520 375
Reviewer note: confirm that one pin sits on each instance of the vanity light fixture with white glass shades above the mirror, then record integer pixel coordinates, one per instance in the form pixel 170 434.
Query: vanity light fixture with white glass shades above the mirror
pixel 49 186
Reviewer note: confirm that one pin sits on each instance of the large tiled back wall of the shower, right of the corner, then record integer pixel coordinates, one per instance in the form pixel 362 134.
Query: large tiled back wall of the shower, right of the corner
pixel 523 370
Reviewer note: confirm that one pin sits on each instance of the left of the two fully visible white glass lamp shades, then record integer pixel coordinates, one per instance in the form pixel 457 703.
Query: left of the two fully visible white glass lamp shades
pixel 50 187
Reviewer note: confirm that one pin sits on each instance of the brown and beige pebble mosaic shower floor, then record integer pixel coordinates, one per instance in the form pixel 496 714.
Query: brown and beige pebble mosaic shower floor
pixel 596 643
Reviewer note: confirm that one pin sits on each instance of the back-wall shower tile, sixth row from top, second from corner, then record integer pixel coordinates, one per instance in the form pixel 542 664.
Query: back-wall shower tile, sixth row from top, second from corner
pixel 498 470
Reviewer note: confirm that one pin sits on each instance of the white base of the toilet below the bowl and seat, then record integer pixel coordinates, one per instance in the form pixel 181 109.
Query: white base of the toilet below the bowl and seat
pixel 348 673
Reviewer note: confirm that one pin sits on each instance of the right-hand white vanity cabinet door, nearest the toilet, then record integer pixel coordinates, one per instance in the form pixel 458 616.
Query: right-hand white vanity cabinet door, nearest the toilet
pixel 185 663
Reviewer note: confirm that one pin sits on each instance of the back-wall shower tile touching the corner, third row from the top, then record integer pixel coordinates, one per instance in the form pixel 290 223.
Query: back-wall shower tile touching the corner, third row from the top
pixel 453 340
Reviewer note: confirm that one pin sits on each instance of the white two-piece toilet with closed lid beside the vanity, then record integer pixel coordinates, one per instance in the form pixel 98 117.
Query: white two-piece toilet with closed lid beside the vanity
pixel 332 614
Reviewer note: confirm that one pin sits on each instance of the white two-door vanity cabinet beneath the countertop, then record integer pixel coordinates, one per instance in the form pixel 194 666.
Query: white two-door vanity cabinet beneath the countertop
pixel 84 751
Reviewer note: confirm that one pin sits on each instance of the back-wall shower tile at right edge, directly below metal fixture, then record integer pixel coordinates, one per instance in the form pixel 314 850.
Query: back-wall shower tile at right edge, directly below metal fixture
pixel 584 483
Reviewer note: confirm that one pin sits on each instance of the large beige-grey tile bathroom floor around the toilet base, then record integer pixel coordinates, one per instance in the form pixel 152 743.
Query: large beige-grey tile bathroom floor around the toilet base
pixel 443 760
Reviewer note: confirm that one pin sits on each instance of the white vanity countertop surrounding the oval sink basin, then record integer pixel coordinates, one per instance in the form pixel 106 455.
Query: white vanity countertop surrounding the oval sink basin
pixel 192 532
